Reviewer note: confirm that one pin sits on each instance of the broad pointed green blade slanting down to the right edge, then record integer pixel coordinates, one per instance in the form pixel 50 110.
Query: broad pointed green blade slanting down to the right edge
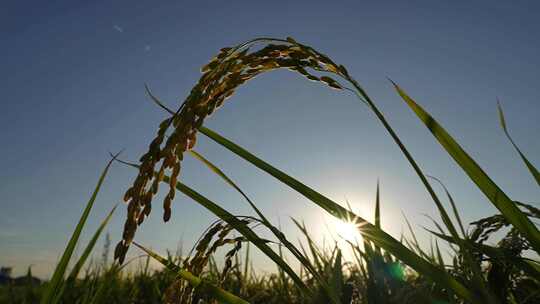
pixel 505 205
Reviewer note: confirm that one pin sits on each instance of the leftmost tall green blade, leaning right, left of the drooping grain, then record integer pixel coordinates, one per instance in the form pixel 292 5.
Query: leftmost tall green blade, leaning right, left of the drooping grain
pixel 52 293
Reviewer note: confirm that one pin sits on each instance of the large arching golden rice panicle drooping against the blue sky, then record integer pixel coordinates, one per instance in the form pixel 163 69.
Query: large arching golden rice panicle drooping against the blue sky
pixel 221 76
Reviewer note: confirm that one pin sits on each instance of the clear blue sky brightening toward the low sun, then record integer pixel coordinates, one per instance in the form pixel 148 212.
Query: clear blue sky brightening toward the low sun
pixel 72 76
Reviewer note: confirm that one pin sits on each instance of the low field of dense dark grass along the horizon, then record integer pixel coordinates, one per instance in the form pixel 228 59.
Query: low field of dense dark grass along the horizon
pixel 371 278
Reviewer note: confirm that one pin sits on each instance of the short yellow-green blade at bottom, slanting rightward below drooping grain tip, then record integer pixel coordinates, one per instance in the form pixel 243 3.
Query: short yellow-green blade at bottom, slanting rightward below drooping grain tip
pixel 196 282
